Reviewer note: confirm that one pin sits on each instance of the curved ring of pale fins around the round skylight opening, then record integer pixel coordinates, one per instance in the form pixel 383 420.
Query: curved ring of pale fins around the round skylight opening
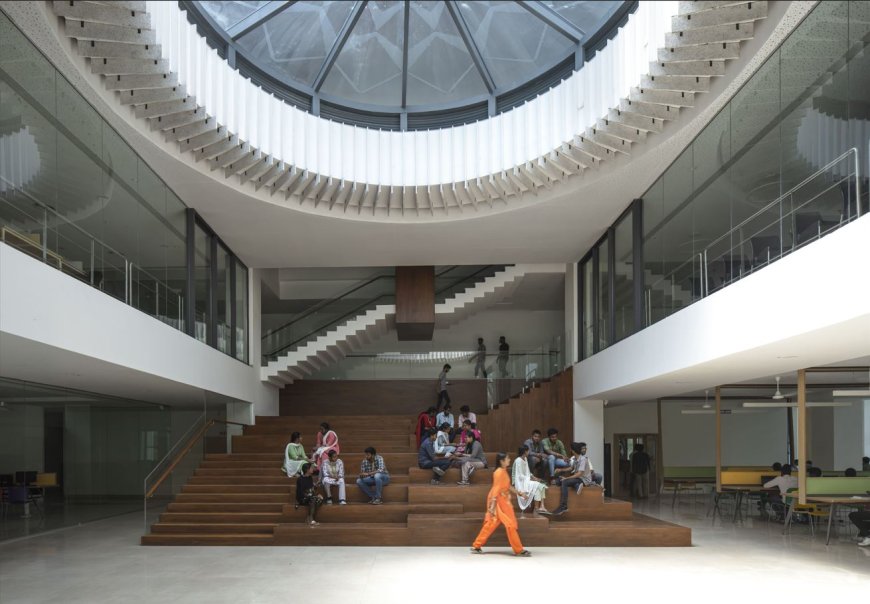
pixel 120 45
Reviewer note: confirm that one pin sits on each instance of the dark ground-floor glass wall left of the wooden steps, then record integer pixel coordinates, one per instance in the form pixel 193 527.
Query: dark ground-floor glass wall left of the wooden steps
pixel 87 453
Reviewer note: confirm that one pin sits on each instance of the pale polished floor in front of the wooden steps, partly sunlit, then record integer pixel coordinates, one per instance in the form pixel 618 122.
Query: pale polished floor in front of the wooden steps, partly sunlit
pixel 102 562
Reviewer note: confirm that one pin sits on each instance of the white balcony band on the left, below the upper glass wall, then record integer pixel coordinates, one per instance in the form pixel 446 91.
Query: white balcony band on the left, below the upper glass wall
pixel 54 328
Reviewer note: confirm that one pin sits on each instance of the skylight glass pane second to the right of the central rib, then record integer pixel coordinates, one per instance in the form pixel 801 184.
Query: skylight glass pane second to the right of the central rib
pixel 515 45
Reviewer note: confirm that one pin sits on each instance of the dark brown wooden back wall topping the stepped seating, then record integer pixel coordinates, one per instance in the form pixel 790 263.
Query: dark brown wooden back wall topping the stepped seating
pixel 377 397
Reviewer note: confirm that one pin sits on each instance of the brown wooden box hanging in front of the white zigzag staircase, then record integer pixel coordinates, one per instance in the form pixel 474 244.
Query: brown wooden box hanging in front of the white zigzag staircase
pixel 415 302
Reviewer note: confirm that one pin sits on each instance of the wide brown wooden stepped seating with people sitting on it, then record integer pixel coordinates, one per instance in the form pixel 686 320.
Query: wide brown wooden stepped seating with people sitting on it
pixel 244 498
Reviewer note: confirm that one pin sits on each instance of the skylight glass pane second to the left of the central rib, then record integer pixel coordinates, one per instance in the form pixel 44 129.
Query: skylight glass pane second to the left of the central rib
pixel 296 41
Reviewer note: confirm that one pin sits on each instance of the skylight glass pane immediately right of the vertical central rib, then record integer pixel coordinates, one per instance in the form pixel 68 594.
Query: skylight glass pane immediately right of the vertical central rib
pixel 440 68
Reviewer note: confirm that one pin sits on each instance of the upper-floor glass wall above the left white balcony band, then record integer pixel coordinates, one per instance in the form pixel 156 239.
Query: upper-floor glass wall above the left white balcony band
pixel 76 196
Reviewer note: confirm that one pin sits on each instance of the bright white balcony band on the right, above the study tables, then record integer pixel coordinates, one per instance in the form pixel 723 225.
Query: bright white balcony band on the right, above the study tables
pixel 807 309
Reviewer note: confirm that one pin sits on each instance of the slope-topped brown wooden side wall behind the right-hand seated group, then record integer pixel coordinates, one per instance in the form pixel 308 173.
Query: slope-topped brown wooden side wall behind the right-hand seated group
pixel 550 405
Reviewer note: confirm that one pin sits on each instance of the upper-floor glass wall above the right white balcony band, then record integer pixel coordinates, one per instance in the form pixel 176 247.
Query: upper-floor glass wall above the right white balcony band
pixel 783 163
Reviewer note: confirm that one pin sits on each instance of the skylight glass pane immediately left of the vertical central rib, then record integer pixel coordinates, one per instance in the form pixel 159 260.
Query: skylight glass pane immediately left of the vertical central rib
pixel 369 67
